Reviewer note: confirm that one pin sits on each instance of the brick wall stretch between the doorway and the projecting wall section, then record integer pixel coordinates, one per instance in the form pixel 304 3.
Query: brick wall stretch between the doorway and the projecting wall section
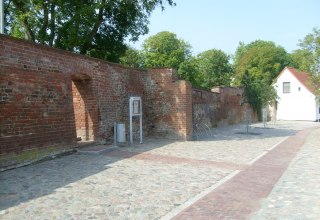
pixel 115 85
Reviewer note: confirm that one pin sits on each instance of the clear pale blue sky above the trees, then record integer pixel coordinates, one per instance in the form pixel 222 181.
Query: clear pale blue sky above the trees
pixel 222 24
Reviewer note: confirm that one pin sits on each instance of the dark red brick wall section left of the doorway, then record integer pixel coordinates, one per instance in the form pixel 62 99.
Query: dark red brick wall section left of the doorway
pixel 35 102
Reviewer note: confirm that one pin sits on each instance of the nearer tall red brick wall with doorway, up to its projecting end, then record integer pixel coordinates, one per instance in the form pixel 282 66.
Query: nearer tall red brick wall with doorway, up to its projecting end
pixel 49 97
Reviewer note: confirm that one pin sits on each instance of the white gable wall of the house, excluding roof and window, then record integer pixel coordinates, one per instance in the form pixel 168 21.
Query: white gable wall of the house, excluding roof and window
pixel 296 105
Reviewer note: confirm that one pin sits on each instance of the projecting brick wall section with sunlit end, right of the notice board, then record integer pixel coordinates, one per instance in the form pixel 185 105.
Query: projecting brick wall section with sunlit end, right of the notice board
pixel 170 104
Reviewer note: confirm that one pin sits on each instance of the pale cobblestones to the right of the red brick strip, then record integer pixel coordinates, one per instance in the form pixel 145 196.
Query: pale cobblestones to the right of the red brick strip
pixel 296 196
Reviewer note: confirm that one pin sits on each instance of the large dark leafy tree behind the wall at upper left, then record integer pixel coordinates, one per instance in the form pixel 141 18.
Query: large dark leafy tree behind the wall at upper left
pixel 94 27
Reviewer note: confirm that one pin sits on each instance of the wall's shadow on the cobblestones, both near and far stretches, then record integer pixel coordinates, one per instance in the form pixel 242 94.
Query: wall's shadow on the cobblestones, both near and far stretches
pixel 31 182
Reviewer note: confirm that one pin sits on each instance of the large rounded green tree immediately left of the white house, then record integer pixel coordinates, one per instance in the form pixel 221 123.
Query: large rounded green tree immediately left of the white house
pixel 256 66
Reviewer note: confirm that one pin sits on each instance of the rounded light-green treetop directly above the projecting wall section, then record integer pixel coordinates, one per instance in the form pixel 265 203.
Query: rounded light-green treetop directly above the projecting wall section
pixel 165 50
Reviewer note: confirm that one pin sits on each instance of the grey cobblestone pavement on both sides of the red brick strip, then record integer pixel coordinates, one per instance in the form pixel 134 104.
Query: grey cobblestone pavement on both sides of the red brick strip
pixel 157 179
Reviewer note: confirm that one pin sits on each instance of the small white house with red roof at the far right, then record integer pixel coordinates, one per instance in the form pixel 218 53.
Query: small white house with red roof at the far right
pixel 297 99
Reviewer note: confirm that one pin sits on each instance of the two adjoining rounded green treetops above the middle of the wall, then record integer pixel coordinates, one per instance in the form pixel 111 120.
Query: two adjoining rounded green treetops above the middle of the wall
pixel 206 70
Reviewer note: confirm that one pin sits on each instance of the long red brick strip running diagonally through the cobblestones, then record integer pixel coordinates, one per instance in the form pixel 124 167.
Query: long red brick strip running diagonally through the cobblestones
pixel 241 195
